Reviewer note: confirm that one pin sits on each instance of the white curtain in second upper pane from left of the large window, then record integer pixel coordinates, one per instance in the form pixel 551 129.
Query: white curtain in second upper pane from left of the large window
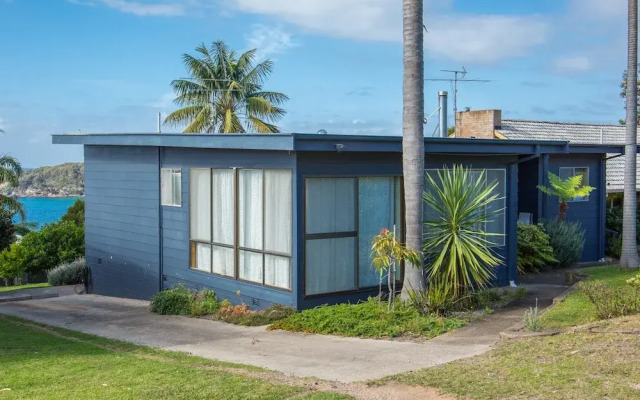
pixel 222 181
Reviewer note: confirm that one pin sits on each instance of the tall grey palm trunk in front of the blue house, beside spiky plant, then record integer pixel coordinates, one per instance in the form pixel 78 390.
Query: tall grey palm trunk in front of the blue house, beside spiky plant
pixel 413 136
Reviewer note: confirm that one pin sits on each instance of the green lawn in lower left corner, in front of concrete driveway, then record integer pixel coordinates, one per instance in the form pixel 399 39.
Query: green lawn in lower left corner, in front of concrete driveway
pixel 51 363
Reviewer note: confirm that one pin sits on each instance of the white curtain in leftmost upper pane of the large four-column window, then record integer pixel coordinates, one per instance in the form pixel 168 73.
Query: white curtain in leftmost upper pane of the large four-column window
pixel 200 204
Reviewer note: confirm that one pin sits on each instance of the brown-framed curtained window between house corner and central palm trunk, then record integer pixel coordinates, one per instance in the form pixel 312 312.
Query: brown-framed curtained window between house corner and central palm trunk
pixel 342 215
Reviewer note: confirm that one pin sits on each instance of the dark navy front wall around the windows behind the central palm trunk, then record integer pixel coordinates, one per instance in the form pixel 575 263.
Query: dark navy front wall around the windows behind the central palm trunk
pixel 310 164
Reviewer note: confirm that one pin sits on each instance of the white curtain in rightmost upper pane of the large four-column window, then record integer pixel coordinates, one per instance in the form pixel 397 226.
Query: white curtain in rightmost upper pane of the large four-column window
pixel 278 214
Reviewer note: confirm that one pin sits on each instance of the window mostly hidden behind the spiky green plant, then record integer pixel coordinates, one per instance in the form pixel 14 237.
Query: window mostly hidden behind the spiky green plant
pixel 497 208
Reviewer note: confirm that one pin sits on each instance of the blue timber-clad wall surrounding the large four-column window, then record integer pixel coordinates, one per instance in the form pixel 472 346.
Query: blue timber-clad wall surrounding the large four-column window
pixel 175 226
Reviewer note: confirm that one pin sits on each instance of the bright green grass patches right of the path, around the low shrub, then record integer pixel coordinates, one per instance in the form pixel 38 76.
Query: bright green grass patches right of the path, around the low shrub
pixel 576 309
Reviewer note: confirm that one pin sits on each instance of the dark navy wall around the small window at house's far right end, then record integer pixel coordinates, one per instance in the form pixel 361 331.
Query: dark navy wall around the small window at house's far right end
pixel 590 213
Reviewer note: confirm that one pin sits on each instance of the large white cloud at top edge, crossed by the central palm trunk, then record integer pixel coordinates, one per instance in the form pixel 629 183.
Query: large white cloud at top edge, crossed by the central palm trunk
pixel 461 37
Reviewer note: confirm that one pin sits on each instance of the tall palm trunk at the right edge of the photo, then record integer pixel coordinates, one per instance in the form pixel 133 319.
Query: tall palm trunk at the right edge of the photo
pixel 629 259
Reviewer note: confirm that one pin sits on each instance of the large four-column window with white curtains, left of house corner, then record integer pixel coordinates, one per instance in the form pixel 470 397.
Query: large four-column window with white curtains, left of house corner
pixel 241 224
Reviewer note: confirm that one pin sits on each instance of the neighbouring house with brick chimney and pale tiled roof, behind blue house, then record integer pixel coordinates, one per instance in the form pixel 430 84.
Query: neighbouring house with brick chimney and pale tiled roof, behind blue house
pixel 488 124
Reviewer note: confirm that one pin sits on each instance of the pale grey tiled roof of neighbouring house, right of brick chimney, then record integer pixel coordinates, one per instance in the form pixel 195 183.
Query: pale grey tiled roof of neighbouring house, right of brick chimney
pixel 576 133
